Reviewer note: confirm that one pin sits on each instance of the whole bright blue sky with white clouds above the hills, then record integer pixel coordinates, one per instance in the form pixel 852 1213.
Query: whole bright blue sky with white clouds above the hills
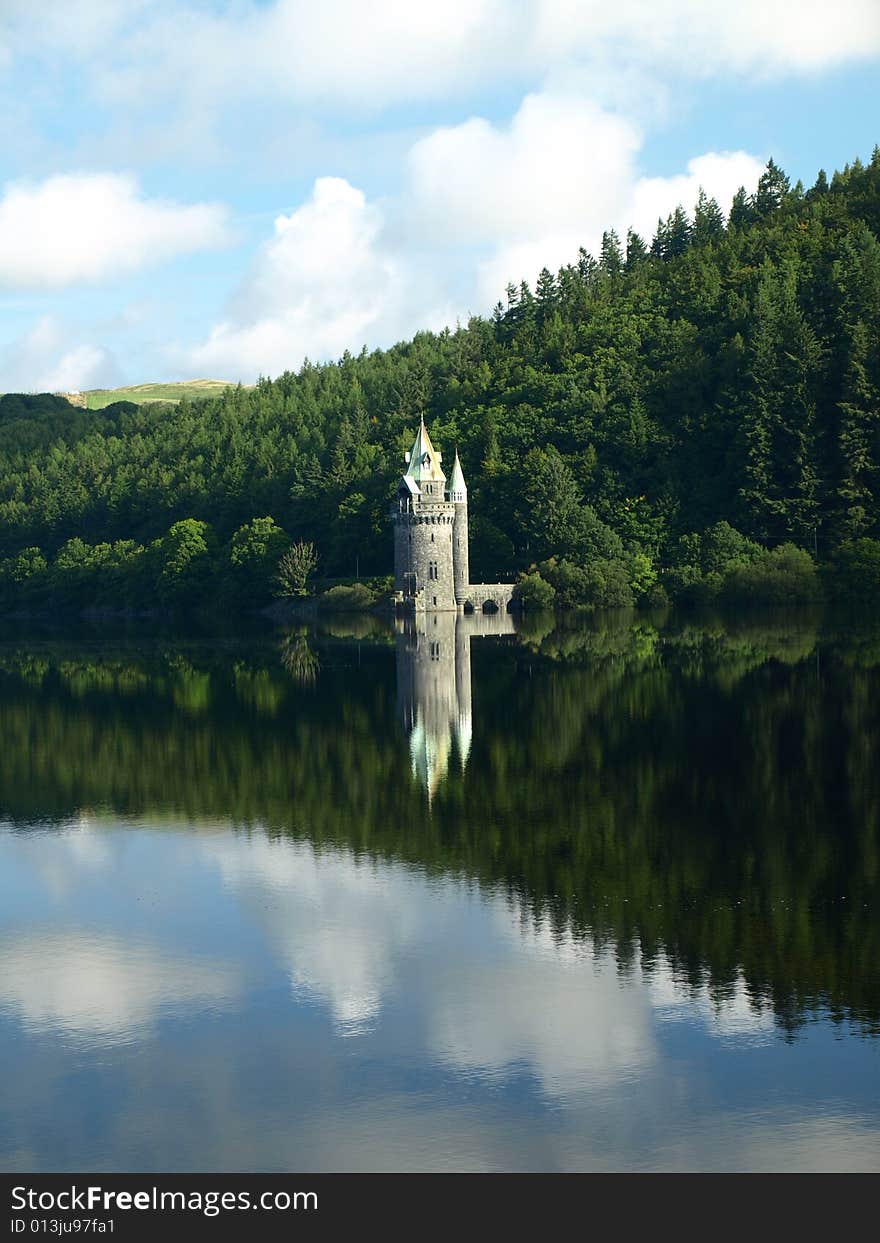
pixel 206 188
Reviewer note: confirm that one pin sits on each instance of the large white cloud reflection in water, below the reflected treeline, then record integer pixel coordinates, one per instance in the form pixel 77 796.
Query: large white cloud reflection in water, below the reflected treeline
pixel 349 929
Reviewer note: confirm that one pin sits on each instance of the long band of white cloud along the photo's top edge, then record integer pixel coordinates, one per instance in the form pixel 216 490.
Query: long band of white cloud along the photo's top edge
pixel 388 52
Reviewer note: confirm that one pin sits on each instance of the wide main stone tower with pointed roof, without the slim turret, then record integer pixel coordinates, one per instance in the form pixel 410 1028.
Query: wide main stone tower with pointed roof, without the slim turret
pixel 424 521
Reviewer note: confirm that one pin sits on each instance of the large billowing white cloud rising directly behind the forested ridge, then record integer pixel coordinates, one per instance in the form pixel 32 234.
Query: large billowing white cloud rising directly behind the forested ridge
pixel 487 204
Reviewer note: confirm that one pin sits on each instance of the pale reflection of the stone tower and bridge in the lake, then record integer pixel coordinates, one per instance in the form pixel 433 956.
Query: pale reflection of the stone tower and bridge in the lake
pixel 434 687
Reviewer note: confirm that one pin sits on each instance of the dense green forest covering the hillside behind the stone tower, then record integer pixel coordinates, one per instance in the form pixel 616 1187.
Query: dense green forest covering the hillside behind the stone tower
pixel 690 417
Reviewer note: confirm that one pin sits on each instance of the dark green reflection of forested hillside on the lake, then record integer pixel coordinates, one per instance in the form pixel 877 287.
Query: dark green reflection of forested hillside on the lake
pixel 700 799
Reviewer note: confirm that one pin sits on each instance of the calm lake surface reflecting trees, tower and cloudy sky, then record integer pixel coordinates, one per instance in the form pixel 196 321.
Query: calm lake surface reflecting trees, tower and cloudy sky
pixel 605 897
